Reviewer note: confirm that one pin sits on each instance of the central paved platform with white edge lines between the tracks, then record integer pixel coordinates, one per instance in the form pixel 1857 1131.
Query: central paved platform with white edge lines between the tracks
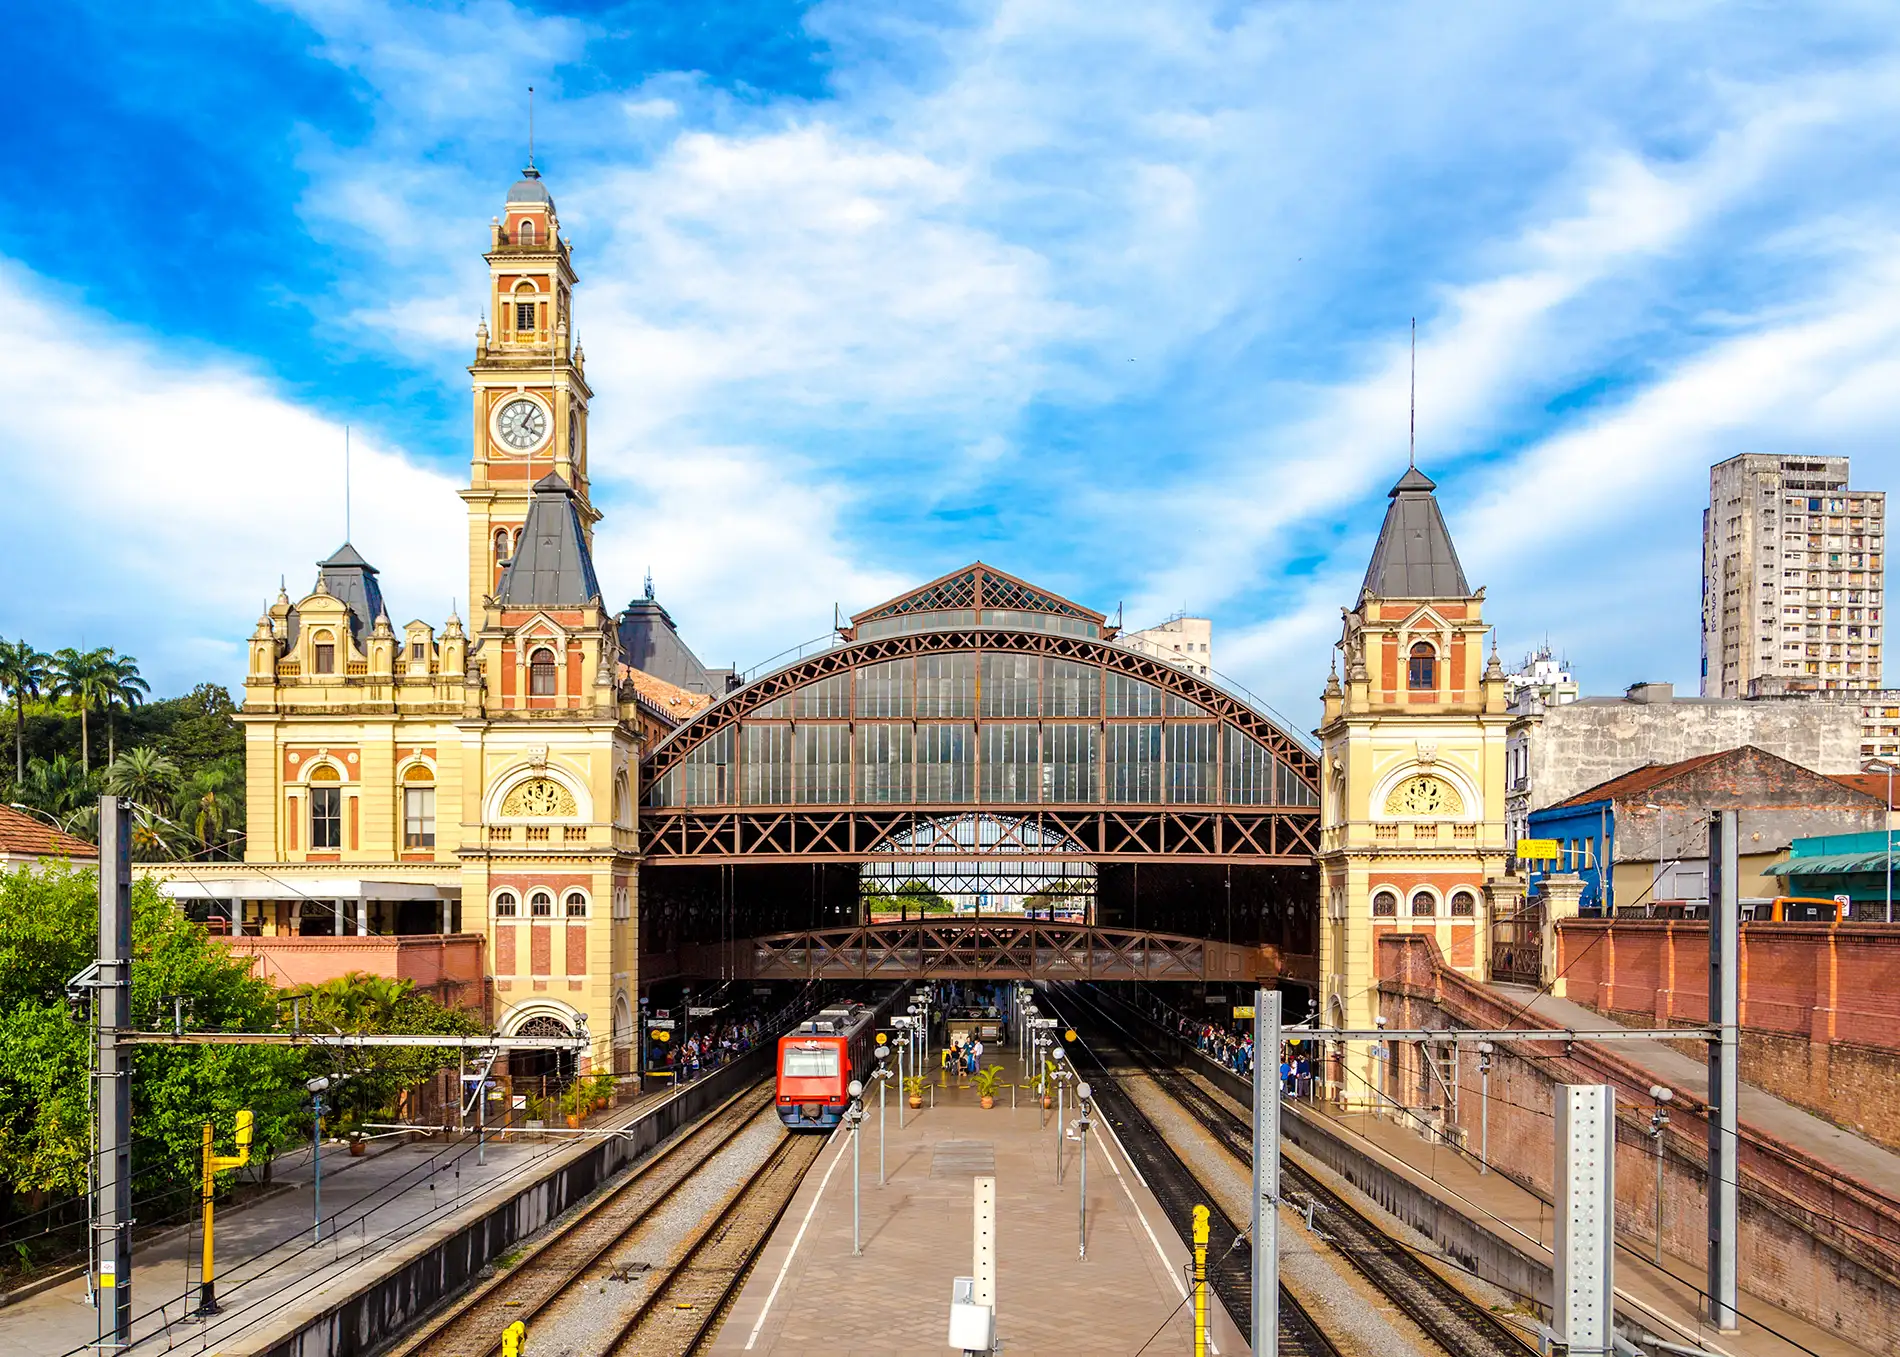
pixel 810 1295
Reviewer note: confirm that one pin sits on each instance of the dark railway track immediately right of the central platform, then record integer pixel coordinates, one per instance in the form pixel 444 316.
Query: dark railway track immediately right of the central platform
pixel 1230 1259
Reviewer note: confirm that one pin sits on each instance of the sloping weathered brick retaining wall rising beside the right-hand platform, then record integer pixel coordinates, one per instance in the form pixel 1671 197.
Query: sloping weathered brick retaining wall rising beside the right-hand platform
pixel 1821 1244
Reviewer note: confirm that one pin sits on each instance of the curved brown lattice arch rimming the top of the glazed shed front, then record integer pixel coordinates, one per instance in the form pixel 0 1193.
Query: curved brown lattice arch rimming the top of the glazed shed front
pixel 1215 702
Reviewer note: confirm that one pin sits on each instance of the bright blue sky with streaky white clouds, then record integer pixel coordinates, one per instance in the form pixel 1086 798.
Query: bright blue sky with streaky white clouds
pixel 1112 297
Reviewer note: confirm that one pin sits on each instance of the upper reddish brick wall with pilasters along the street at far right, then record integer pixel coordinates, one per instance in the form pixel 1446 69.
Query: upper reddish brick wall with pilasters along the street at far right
pixel 1821 1014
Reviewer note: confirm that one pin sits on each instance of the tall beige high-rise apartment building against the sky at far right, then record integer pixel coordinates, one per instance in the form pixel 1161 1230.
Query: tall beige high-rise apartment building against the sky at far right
pixel 1791 577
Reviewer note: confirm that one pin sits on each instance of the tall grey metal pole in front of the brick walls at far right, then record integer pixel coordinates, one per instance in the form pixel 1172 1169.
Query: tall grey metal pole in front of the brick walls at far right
pixel 1724 1069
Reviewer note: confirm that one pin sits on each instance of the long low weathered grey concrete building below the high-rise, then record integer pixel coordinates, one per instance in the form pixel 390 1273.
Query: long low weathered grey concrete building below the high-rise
pixel 1553 754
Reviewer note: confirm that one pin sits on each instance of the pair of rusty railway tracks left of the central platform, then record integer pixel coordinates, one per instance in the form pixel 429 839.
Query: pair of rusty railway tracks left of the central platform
pixel 563 1259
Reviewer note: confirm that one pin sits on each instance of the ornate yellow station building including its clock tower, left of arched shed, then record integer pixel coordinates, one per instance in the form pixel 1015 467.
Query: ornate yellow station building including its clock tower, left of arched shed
pixel 472 780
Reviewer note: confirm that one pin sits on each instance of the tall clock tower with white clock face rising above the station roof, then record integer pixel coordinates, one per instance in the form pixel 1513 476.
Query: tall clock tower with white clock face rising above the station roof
pixel 531 391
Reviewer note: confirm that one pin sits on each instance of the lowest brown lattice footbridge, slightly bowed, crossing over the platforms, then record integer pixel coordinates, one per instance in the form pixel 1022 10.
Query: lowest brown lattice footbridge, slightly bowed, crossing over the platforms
pixel 995 951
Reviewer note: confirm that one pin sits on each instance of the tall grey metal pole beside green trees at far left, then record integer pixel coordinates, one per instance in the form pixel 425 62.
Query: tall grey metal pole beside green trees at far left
pixel 113 1193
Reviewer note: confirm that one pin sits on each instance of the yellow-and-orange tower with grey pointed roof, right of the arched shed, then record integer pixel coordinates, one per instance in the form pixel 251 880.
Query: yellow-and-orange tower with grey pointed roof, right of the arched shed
pixel 1413 771
